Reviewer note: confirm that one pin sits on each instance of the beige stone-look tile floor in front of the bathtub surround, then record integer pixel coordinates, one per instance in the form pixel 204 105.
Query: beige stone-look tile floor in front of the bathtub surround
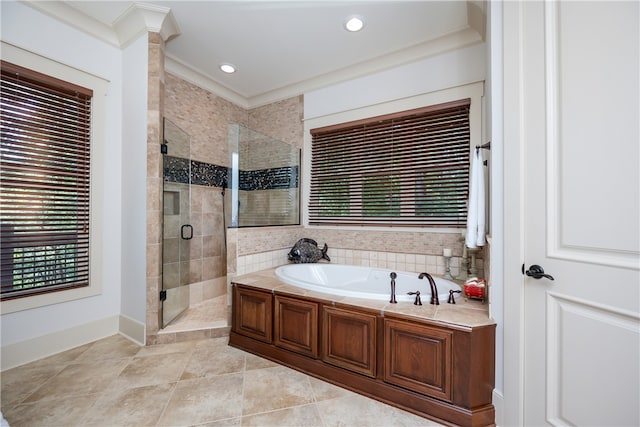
pixel 114 382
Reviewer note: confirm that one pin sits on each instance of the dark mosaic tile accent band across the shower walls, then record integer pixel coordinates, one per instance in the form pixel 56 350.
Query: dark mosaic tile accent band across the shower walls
pixel 176 169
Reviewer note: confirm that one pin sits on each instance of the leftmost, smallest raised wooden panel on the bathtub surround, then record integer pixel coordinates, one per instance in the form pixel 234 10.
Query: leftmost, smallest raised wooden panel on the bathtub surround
pixel 253 313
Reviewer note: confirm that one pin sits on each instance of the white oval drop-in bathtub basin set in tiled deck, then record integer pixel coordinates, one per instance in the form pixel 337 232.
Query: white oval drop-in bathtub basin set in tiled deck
pixel 361 282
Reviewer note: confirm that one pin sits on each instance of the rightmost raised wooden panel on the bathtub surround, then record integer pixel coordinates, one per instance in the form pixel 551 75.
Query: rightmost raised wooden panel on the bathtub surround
pixel 418 357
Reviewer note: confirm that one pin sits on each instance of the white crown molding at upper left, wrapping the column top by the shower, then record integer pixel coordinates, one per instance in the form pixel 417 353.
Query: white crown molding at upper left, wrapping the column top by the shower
pixel 138 19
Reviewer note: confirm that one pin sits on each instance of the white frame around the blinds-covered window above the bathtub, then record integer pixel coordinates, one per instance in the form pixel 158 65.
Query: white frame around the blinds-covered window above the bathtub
pixel 473 91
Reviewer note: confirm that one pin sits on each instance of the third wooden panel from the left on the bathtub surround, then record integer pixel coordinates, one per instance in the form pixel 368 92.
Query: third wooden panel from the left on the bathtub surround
pixel 349 340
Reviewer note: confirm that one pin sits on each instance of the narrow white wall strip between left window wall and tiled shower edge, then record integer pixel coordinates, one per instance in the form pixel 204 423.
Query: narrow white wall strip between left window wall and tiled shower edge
pixel 134 178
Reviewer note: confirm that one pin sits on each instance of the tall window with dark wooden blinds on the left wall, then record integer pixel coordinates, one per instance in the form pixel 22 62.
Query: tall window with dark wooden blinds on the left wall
pixel 45 130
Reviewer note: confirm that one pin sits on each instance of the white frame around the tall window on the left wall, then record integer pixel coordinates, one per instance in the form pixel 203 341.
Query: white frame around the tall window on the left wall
pixel 98 85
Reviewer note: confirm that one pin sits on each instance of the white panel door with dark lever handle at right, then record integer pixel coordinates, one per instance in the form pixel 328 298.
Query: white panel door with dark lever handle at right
pixel 581 212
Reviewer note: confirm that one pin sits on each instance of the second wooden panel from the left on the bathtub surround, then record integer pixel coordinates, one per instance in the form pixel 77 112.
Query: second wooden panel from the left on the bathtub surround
pixel 296 325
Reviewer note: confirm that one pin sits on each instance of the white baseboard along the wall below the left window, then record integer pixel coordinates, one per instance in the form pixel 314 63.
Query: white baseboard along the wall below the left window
pixel 33 349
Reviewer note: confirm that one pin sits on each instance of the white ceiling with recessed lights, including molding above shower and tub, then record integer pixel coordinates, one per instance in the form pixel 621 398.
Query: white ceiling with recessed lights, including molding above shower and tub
pixel 285 48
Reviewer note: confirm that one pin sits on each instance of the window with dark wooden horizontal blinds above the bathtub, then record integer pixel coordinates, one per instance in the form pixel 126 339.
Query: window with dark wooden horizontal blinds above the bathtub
pixel 406 169
